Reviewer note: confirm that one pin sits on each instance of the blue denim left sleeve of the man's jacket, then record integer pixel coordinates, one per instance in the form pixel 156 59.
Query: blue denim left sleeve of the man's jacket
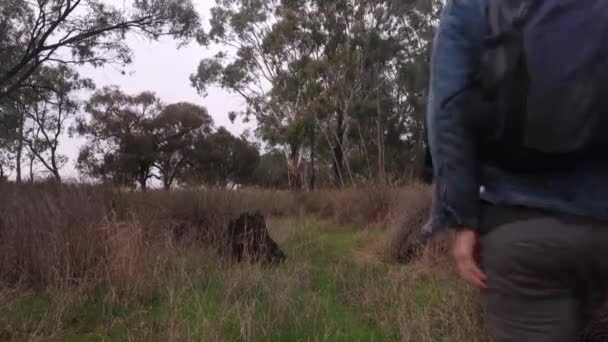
pixel 454 65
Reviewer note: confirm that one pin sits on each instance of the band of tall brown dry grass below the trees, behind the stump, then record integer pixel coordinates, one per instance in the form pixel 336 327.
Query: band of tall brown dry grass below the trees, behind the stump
pixel 62 235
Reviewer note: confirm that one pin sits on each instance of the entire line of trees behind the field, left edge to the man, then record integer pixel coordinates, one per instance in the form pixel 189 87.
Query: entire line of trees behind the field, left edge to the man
pixel 337 90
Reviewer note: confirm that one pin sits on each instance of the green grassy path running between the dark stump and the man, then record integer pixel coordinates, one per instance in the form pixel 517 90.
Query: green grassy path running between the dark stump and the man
pixel 332 273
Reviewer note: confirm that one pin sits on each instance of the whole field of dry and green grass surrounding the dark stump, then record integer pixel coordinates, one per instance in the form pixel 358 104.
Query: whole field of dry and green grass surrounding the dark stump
pixel 88 263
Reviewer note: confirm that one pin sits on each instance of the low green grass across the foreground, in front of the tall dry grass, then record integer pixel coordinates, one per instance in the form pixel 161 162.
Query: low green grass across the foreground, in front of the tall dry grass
pixel 322 293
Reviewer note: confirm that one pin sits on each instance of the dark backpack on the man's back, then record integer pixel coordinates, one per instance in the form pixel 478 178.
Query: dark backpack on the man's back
pixel 545 73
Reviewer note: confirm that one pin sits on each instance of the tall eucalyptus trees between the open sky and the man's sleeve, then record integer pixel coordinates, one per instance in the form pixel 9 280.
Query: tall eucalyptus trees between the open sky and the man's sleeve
pixel 353 74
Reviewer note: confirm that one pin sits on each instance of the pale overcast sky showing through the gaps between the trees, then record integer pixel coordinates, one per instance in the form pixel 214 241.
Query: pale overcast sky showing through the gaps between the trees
pixel 164 69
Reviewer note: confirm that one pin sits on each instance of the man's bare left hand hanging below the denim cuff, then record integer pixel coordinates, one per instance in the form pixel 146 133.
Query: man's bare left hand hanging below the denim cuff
pixel 465 251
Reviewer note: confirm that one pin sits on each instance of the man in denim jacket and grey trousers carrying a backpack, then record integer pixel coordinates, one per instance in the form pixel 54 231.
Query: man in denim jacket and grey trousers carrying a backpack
pixel 517 93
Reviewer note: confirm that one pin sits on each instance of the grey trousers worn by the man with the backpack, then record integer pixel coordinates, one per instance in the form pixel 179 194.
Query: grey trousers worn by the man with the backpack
pixel 547 273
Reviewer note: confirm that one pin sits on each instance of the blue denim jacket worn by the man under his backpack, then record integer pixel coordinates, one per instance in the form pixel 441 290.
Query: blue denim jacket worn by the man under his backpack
pixel 460 179
